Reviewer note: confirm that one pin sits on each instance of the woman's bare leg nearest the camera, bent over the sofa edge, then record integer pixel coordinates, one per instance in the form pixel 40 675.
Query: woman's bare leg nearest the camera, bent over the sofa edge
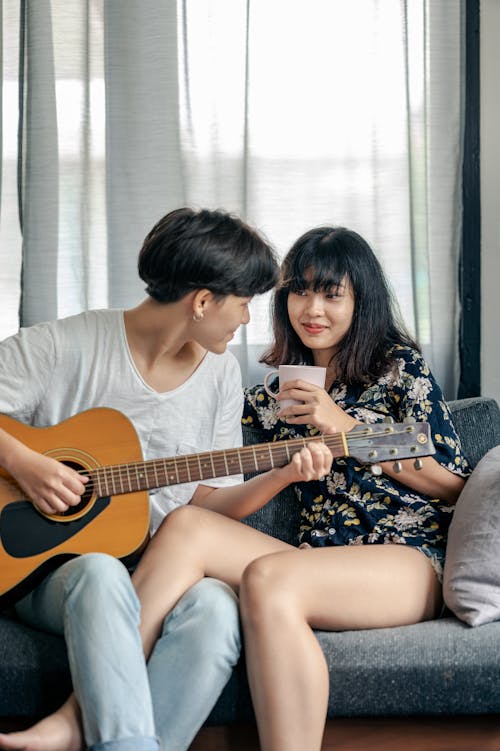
pixel 284 596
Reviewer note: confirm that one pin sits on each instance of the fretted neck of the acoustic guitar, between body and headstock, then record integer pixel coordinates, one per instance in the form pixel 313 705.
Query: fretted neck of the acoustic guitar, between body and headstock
pixel 157 473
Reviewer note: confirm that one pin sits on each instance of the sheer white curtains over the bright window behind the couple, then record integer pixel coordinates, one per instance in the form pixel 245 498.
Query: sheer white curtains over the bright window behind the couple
pixel 291 114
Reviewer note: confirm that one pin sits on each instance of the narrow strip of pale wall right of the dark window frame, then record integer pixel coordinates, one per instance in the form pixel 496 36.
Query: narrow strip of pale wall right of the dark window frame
pixel 490 198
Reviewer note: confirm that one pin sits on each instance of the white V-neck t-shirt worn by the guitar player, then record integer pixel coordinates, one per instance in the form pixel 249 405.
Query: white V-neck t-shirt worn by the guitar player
pixel 52 371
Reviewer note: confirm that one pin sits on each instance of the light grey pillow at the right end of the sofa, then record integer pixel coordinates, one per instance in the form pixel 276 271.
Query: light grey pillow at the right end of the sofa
pixel 471 586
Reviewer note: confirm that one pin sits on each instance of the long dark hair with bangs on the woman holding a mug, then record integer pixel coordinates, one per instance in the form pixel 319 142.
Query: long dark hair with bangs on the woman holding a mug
pixel 321 259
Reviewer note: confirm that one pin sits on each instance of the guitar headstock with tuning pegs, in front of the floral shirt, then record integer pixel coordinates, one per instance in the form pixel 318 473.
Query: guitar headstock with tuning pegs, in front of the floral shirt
pixel 381 442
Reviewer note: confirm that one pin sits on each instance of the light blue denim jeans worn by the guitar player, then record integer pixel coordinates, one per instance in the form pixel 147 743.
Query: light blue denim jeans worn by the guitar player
pixel 125 705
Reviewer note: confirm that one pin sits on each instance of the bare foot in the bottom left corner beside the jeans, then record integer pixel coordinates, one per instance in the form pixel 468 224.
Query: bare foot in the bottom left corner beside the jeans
pixel 60 731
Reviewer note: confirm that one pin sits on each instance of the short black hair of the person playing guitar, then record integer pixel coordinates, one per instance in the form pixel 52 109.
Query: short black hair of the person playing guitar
pixel 205 249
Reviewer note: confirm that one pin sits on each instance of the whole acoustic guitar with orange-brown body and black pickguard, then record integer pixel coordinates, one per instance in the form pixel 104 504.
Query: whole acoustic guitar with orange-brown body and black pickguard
pixel 113 515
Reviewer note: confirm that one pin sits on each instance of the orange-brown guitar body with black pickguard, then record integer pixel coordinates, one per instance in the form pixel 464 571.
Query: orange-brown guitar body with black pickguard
pixel 32 543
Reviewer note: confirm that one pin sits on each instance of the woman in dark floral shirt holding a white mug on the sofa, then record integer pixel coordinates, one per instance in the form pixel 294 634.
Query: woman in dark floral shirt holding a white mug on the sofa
pixel 371 548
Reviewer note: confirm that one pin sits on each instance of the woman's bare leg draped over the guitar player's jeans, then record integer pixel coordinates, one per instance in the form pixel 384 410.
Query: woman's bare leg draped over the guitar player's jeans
pixel 192 543
